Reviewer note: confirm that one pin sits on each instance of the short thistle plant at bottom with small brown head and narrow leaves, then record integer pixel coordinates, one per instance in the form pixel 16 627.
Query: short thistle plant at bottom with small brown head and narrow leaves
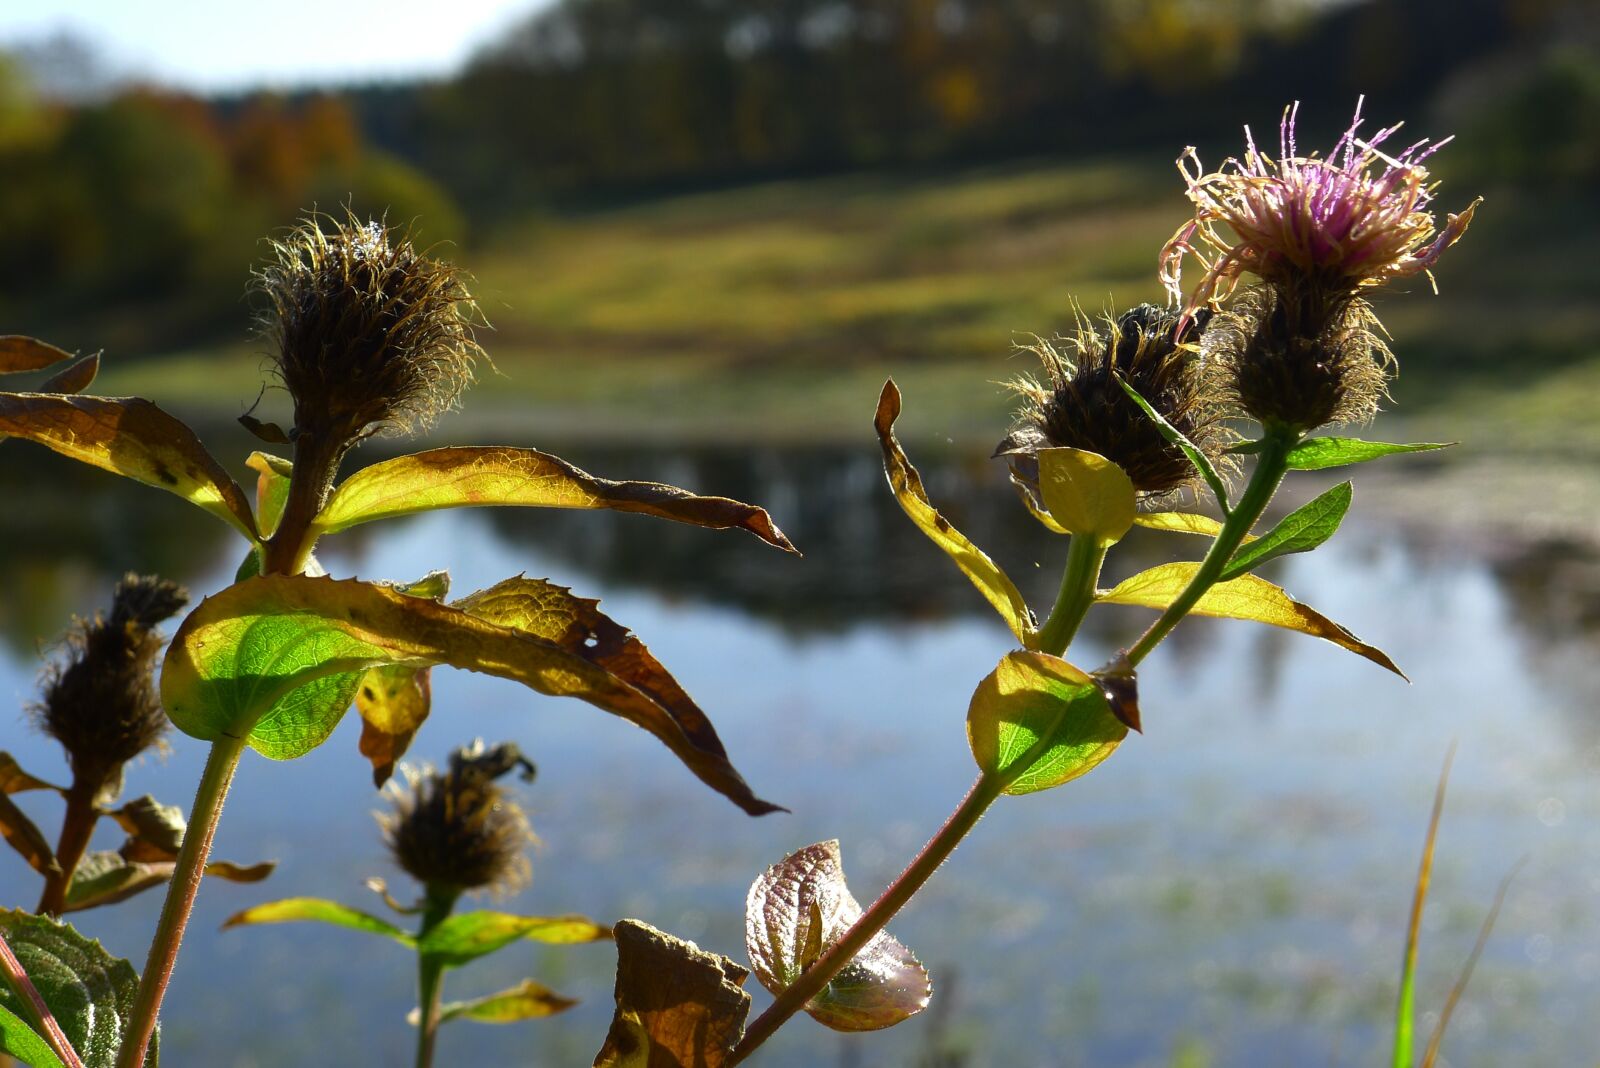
pixel 455 832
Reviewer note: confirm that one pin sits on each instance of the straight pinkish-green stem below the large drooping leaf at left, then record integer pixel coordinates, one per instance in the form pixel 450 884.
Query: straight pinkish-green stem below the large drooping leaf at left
pixel 180 898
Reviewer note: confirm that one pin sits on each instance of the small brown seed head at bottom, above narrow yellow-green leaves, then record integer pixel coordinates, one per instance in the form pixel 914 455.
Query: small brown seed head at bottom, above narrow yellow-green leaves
pixel 457 831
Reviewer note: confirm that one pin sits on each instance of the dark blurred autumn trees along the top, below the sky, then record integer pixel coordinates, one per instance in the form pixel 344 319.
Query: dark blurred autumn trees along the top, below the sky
pixel 159 201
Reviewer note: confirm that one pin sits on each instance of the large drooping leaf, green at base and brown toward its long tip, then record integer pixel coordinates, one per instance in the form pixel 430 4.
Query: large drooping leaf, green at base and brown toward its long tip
pixel 254 645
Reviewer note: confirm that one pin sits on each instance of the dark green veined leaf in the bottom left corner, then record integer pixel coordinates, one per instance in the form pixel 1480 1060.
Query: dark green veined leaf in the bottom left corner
pixel 89 990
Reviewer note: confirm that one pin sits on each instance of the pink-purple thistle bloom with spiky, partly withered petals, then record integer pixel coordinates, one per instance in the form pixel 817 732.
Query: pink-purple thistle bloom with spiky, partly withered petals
pixel 1353 220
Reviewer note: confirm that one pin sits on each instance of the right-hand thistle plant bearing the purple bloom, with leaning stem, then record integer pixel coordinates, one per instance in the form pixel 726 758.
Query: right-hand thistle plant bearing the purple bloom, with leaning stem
pixel 1130 415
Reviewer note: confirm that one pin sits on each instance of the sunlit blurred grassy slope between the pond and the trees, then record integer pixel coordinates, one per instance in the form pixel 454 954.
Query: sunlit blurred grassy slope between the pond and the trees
pixel 777 311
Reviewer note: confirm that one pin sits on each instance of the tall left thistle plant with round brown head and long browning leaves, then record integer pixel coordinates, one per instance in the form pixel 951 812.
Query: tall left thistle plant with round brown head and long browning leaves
pixel 369 335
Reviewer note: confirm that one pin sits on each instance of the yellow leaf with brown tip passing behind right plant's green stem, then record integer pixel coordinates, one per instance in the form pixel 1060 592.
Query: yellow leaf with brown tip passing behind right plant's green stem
pixel 1247 597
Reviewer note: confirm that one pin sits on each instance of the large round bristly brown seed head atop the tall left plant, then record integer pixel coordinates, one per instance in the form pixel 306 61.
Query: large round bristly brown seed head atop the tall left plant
pixel 369 333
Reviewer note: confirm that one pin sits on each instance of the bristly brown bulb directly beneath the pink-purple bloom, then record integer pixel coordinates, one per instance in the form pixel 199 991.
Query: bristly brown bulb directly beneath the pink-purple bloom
pixel 1289 357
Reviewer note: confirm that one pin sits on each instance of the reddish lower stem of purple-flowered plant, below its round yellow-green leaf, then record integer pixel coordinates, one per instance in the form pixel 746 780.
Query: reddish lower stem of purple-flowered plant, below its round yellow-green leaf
pixel 876 919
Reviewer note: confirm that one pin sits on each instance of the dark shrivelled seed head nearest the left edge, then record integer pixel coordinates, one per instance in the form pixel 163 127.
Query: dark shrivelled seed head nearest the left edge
pixel 100 701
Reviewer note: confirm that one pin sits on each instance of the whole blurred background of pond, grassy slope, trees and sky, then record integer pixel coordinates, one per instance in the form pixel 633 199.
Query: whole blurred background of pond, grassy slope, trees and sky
pixel 705 234
